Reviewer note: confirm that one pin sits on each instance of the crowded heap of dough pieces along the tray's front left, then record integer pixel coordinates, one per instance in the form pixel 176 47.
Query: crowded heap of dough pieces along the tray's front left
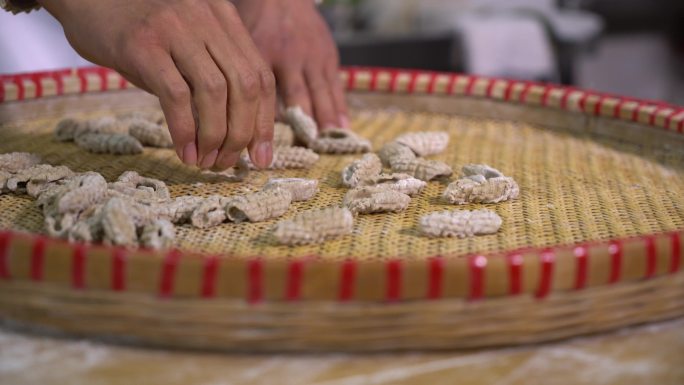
pixel 139 211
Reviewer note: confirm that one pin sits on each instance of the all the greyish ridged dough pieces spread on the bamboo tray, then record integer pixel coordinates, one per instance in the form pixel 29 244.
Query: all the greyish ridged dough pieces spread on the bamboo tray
pixel 138 211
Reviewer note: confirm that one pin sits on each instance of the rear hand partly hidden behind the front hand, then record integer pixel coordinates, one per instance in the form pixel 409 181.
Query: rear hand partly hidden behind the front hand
pixel 294 39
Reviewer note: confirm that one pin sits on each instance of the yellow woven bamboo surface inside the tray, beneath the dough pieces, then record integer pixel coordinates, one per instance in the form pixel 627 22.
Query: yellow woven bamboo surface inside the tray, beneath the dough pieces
pixel 574 188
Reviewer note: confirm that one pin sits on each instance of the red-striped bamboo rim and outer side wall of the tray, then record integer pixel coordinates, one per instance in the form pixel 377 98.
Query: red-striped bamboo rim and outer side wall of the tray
pixel 585 288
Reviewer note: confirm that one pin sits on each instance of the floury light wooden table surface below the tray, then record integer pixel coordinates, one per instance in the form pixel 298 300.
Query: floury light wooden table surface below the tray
pixel 650 354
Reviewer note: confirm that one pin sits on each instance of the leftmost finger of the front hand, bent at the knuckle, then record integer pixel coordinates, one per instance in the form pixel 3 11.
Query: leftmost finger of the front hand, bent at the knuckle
pixel 159 74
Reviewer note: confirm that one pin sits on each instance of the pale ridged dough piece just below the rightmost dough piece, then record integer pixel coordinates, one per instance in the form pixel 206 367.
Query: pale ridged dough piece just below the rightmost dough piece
pixel 460 223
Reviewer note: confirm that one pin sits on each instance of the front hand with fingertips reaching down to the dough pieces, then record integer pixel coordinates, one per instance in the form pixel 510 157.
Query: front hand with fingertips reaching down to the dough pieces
pixel 216 91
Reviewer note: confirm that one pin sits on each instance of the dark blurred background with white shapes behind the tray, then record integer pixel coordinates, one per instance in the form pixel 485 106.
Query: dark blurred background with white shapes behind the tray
pixel 628 47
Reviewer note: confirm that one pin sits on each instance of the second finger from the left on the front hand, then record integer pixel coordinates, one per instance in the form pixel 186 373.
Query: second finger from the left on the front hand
pixel 210 97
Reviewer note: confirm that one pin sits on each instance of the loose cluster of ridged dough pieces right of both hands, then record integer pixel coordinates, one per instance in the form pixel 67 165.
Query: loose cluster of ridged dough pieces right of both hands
pixel 374 191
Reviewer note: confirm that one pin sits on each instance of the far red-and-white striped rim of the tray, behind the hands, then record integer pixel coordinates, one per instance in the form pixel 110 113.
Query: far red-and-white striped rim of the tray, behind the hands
pixel 18 87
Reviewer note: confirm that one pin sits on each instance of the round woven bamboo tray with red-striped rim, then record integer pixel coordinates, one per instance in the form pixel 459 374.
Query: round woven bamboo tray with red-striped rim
pixel 592 244
